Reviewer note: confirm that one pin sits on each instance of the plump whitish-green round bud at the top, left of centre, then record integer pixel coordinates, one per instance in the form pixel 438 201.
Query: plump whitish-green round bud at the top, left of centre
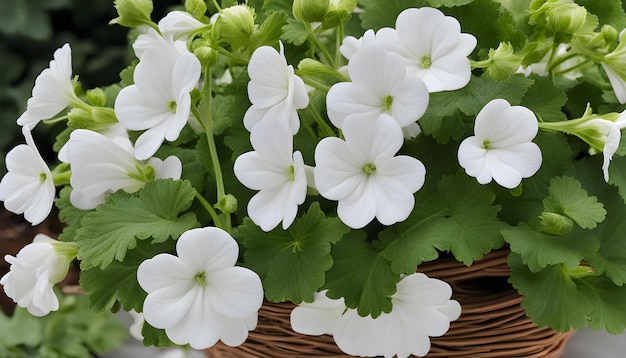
pixel 236 25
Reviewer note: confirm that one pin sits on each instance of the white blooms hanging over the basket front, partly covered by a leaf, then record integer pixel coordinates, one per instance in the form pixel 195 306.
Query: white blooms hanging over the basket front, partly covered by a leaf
pixel 422 308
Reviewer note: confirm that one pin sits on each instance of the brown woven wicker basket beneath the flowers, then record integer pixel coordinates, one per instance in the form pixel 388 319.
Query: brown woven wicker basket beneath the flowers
pixel 492 324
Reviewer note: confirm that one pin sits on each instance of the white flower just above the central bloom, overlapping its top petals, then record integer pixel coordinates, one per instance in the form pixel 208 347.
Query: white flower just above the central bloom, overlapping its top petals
pixel 379 85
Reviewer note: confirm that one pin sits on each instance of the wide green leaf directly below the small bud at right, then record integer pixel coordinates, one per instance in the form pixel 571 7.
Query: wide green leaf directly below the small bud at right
pixel 539 250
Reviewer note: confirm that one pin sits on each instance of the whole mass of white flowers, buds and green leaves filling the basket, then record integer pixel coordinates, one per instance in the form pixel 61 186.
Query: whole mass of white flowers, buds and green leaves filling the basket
pixel 320 156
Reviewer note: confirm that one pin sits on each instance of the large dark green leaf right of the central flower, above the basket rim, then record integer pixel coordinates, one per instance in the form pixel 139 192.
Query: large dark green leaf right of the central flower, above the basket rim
pixel 459 216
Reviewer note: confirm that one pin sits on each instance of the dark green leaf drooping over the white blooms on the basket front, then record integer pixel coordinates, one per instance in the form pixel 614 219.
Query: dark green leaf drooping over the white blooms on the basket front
pixel 361 275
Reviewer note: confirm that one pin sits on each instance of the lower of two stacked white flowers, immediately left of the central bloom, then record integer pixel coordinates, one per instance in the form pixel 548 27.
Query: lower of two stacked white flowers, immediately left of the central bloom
pixel 276 171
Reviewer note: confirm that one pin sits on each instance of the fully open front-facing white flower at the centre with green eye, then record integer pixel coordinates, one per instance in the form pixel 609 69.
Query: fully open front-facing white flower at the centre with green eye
pixel 365 176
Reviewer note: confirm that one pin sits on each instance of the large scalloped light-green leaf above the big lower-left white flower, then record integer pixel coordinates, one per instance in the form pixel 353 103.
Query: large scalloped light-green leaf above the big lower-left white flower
pixel 113 228
